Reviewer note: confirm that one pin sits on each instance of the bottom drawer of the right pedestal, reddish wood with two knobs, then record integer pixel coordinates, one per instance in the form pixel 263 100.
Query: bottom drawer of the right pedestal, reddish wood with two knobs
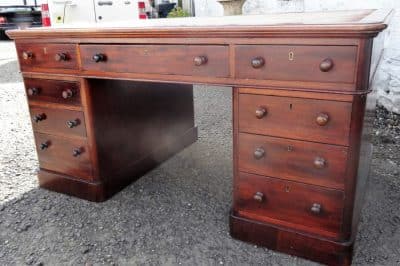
pixel 290 204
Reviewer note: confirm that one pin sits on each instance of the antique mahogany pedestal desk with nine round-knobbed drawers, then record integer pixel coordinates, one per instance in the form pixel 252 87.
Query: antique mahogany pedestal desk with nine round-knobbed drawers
pixel 108 104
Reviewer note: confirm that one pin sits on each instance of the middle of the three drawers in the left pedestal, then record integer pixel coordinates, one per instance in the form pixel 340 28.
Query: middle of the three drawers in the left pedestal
pixel 57 121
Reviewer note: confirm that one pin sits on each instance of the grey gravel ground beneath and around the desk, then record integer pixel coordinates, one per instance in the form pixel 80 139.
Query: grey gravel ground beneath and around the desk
pixel 177 213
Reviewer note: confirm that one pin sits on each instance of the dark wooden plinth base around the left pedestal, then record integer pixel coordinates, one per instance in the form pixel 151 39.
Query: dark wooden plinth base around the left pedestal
pixel 100 191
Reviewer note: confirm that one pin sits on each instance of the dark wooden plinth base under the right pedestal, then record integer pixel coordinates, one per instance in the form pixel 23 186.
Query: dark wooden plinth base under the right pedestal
pixel 291 242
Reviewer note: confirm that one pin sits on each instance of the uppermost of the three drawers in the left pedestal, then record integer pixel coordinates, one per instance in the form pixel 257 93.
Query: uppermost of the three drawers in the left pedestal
pixel 55 91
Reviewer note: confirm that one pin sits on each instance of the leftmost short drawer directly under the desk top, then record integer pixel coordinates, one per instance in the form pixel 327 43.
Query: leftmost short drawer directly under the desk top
pixel 43 55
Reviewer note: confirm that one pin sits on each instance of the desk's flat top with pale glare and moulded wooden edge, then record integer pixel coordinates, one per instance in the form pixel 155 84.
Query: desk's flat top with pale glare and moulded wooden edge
pixel 370 21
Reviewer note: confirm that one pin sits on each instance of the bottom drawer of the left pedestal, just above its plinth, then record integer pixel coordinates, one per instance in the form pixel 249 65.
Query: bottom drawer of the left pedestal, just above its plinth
pixel 64 155
